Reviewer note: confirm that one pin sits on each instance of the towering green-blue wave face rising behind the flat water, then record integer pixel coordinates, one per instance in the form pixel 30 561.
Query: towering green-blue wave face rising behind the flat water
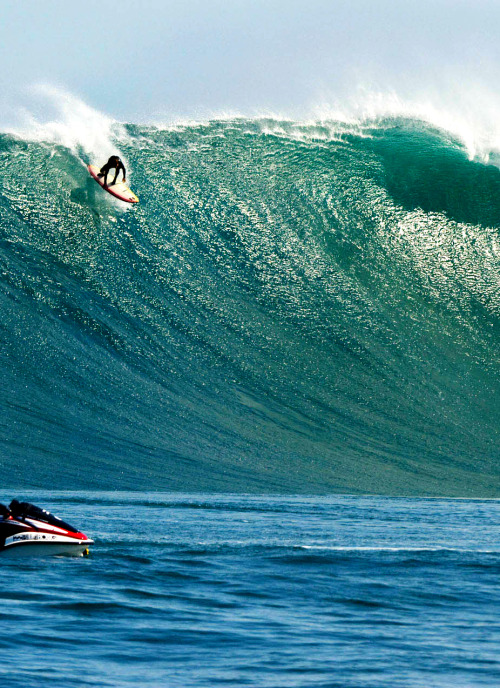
pixel 290 308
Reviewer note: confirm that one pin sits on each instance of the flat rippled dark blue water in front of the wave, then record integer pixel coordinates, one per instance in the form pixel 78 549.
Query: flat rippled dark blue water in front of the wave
pixel 275 592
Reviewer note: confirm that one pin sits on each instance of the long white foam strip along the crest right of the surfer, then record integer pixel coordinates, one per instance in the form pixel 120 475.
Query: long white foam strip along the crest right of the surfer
pixel 468 113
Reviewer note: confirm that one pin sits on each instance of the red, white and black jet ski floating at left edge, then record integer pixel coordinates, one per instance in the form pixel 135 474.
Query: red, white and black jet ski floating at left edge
pixel 26 529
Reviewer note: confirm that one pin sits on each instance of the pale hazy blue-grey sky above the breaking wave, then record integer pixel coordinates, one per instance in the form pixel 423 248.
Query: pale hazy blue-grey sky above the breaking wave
pixel 145 59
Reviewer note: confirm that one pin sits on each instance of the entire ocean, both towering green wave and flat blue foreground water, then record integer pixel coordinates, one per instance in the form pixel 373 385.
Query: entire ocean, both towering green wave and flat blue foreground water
pixel 269 392
